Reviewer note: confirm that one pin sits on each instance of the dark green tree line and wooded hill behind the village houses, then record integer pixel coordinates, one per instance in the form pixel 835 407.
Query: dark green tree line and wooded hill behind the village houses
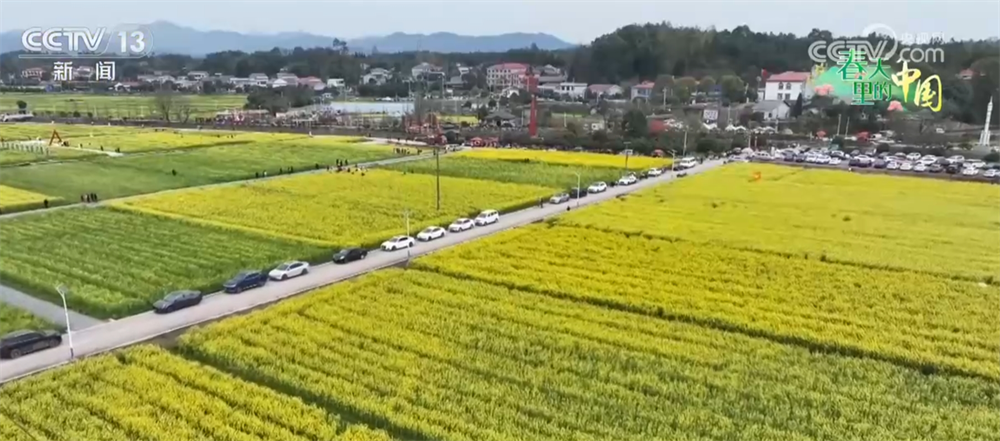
pixel 682 61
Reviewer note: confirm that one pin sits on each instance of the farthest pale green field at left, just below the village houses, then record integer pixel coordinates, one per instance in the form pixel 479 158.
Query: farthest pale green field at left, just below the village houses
pixel 116 106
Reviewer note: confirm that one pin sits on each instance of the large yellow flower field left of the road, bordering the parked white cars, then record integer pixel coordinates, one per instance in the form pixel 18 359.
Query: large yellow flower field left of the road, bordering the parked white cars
pixel 338 209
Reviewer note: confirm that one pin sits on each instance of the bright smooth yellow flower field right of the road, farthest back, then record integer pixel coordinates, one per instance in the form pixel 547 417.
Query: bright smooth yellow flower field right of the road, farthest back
pixel 951 229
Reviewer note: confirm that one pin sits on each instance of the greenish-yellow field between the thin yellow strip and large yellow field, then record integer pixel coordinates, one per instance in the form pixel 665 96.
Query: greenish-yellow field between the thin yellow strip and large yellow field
pixel 556 176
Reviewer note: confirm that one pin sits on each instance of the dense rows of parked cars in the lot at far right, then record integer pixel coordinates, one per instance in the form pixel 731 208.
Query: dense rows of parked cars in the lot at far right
pixel 914 162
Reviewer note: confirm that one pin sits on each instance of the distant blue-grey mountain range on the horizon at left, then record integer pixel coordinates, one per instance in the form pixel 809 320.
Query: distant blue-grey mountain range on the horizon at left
pixel 174 39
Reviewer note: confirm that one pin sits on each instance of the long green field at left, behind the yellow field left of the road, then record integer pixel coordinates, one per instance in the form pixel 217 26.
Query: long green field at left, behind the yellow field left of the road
pixel 147 173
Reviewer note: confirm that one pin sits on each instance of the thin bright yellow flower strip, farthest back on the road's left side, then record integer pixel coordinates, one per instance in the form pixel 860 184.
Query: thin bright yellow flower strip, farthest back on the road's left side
pixel 567 158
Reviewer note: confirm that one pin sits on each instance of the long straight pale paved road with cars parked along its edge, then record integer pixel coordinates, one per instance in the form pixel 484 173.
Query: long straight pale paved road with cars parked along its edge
pixel 141 327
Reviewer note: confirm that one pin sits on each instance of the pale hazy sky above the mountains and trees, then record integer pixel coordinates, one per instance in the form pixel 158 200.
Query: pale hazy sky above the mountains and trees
pixel 574 21
